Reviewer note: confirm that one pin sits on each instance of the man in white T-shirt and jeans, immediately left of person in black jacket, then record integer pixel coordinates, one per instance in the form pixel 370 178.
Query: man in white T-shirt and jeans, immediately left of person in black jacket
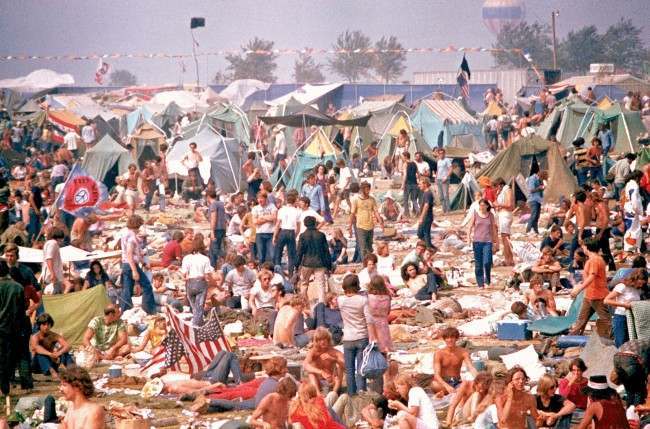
pixel 285 232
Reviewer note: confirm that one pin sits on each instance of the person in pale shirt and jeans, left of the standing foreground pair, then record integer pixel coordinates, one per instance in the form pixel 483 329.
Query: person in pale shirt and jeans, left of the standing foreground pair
pixel 354 311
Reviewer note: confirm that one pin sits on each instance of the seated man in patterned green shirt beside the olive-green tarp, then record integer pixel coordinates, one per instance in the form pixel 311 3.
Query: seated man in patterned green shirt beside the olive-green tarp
pixel 106 335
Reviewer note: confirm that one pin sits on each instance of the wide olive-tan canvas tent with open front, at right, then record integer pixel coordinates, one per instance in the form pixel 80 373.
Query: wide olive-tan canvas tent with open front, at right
pixel 521 157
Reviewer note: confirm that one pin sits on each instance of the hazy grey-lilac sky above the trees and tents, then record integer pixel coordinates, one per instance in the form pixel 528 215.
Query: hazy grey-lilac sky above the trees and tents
pixel 37 27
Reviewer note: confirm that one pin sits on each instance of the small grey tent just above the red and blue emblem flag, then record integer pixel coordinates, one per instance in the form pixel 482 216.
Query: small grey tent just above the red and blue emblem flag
pixel 106 160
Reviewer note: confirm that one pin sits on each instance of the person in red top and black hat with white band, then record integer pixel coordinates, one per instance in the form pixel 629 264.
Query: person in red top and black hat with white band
pixel 605 408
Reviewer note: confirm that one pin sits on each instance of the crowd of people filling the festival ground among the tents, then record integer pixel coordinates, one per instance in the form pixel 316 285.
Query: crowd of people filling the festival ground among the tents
pixel 271 251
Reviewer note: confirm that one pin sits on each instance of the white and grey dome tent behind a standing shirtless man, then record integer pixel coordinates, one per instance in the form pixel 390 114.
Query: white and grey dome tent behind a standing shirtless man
pixel 222 159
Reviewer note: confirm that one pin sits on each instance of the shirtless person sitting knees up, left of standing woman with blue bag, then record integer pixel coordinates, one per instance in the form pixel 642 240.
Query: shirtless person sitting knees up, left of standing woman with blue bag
pixel 323 362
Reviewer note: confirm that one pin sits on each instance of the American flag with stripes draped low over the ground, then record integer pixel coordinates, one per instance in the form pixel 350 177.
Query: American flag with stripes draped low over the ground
pixel 198 345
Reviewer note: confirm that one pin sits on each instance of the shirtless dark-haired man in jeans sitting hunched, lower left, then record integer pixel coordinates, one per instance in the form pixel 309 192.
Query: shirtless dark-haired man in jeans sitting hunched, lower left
pixel 50 349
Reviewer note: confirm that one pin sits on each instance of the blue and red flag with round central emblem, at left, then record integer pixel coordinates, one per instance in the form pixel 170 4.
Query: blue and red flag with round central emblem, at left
pixel 82 194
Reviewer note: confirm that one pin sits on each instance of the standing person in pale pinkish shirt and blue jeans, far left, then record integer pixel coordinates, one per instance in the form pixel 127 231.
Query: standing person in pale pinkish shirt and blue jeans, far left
pixel 133 276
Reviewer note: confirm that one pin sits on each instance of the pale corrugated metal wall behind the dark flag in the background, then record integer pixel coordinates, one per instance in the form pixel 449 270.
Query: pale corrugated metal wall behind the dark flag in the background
pixel 510 81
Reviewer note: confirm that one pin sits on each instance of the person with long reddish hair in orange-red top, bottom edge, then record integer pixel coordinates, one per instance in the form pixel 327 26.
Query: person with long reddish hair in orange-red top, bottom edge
pixel 310 411
